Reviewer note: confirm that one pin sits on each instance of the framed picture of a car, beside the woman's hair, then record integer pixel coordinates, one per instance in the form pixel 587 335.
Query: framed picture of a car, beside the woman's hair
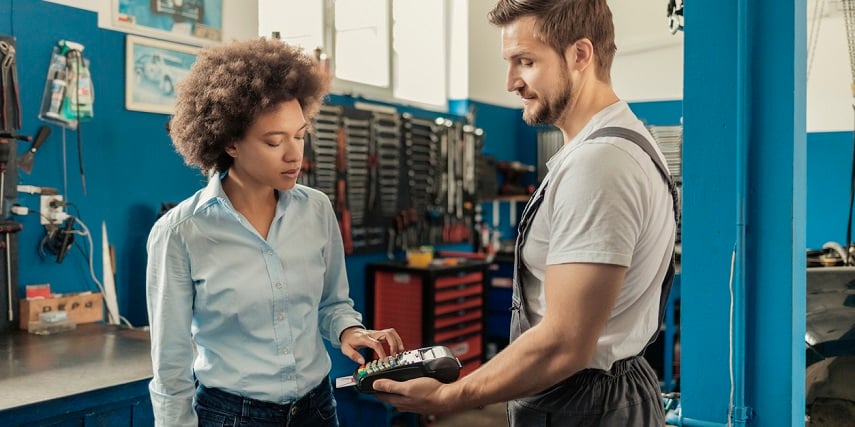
pixel 153 69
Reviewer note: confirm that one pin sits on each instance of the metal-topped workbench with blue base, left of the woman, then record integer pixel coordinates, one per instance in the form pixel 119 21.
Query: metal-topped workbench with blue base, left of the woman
pixel 94 375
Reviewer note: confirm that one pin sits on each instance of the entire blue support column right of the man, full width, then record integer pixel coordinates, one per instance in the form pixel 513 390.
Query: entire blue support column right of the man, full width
pixel 744 175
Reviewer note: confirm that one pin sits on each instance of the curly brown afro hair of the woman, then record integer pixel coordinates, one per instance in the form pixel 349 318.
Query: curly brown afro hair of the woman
pixel 229 86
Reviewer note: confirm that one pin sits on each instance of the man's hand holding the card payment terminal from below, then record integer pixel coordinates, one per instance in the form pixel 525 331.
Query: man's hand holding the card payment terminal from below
pixel 421 395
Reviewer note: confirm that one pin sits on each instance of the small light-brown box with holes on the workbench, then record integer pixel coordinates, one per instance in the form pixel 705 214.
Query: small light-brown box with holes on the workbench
pixel 81 308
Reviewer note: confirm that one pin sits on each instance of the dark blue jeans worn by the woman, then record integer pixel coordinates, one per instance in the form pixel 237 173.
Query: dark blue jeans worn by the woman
pixel 215 407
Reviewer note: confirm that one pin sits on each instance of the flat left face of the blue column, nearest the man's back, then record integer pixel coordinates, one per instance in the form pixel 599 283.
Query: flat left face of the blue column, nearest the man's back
pixel 709 207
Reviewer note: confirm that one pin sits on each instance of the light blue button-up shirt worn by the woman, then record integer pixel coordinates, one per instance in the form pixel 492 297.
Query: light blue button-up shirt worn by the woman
pixel 255 308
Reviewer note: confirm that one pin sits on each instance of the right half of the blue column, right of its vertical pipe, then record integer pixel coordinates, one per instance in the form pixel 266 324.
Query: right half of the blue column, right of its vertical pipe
pixel 778 176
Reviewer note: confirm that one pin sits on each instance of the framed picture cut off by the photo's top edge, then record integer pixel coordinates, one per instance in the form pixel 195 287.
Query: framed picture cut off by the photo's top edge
pixel 196 22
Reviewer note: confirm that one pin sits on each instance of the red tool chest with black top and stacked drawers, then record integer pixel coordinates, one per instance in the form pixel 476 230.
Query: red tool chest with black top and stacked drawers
pixel 436 305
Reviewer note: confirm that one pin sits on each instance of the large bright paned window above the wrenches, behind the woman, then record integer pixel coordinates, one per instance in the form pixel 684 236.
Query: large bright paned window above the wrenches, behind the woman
pixel 389 50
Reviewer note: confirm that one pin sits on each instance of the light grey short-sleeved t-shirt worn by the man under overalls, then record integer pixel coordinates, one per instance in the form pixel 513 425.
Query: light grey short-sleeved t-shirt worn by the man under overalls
pixel 605 203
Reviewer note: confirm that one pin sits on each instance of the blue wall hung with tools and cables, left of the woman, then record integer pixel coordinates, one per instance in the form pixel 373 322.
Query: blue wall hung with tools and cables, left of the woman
pixel 130 166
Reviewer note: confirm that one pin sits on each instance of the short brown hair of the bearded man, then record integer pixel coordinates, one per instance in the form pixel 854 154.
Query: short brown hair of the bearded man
pixel 561 23
